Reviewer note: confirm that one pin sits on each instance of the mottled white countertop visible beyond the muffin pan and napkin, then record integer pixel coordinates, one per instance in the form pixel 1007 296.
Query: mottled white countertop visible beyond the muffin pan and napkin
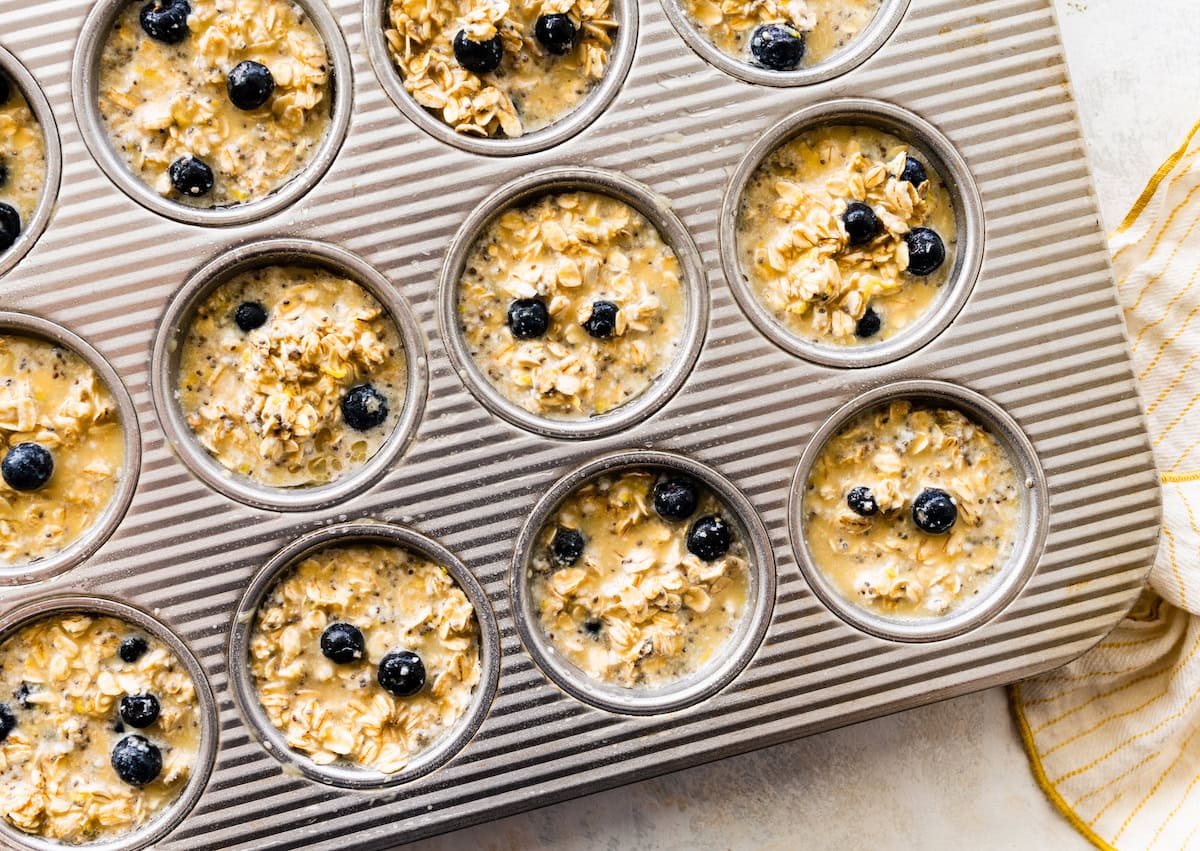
pixel 945 775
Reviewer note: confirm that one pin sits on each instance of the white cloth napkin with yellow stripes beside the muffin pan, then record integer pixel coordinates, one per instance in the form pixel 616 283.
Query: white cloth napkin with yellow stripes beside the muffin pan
pixel 1114 738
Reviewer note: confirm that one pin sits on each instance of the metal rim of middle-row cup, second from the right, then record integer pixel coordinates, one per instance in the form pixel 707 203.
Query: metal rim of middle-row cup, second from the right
pixel 651 205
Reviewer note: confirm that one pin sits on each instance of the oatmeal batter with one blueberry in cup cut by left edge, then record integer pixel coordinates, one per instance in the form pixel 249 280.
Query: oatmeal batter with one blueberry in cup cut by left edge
pixel 51 398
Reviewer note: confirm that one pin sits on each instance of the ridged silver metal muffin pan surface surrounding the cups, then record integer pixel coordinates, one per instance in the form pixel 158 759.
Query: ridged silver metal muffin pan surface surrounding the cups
pixel 1036 338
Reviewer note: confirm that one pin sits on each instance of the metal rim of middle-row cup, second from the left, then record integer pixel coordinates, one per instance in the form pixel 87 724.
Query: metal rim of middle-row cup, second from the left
pixel 164 369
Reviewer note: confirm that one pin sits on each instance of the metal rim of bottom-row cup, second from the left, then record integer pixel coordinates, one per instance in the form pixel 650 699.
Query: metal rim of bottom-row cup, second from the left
pixel 449 745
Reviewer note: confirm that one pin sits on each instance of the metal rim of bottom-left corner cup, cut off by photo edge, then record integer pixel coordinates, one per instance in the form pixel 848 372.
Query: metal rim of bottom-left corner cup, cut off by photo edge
pixel 170 818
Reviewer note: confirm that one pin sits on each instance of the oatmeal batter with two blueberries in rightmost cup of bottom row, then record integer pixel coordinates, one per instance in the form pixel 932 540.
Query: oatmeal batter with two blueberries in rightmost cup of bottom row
pixel 883 560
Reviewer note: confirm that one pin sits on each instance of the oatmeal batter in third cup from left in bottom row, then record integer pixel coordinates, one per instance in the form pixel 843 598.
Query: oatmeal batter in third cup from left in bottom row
pixel 637 608
